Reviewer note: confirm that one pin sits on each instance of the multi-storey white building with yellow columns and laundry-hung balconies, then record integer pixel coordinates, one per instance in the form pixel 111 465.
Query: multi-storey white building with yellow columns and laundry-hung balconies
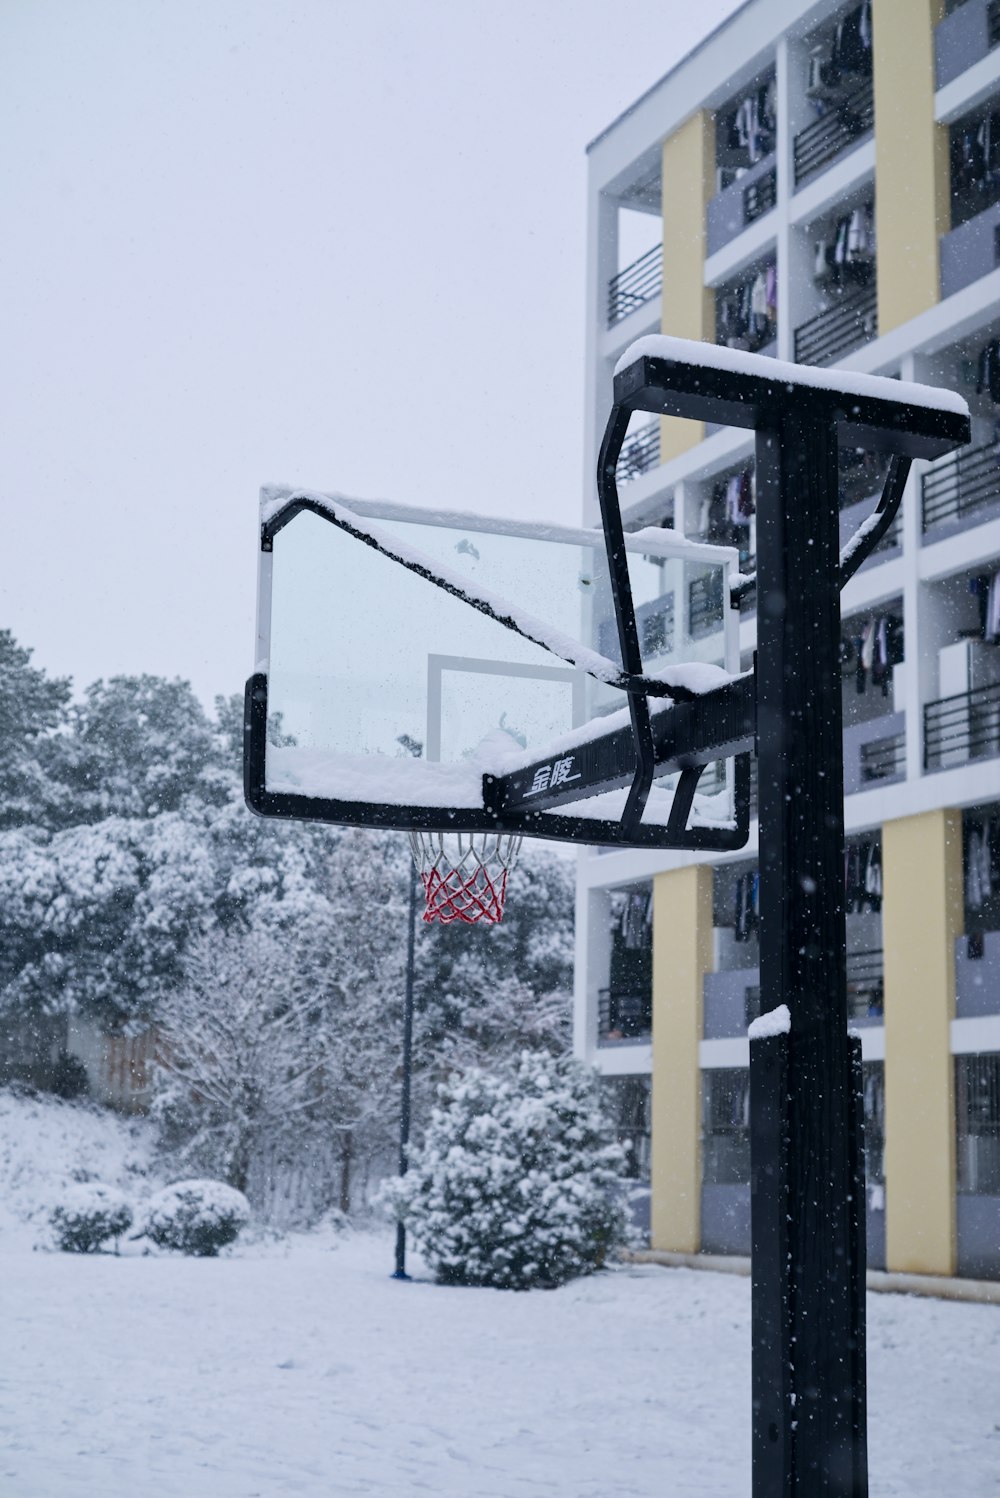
pixel 821 182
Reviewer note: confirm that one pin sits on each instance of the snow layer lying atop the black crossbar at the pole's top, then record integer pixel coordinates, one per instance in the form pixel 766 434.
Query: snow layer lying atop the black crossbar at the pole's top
pixel 844 383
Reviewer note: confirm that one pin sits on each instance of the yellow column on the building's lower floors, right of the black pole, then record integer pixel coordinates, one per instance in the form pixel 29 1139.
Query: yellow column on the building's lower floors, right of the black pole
pixel 921 919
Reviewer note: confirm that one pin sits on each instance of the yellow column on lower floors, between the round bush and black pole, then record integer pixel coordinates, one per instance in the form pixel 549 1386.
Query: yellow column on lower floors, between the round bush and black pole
pixel 682 956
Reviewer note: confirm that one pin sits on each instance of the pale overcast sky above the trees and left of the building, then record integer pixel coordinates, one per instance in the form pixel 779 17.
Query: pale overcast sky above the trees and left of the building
pixel 332 243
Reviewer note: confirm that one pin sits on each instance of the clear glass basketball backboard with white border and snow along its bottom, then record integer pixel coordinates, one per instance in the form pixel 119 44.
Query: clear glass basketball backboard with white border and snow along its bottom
pixel 490 645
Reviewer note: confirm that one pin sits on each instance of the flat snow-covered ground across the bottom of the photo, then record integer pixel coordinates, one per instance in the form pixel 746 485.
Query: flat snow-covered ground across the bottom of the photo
pixel 303 1368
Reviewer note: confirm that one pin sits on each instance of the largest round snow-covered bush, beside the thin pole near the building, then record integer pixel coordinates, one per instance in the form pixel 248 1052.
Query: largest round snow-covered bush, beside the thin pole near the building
pixel 519 1181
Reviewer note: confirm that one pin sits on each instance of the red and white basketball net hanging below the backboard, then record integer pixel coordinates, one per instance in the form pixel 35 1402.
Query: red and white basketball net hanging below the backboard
pixel 465 876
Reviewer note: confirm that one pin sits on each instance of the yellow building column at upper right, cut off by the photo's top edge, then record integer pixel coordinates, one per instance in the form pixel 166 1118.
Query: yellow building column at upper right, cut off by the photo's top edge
pixel 912 170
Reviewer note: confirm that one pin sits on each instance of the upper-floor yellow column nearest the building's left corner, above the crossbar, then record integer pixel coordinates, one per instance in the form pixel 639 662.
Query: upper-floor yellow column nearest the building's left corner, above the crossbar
pixel 688 312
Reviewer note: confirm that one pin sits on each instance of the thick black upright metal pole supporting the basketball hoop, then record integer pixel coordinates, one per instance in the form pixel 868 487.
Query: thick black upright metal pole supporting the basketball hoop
pixel 809 1428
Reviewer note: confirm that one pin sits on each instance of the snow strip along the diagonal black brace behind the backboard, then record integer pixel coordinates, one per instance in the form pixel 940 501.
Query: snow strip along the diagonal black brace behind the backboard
pixel 680 684
